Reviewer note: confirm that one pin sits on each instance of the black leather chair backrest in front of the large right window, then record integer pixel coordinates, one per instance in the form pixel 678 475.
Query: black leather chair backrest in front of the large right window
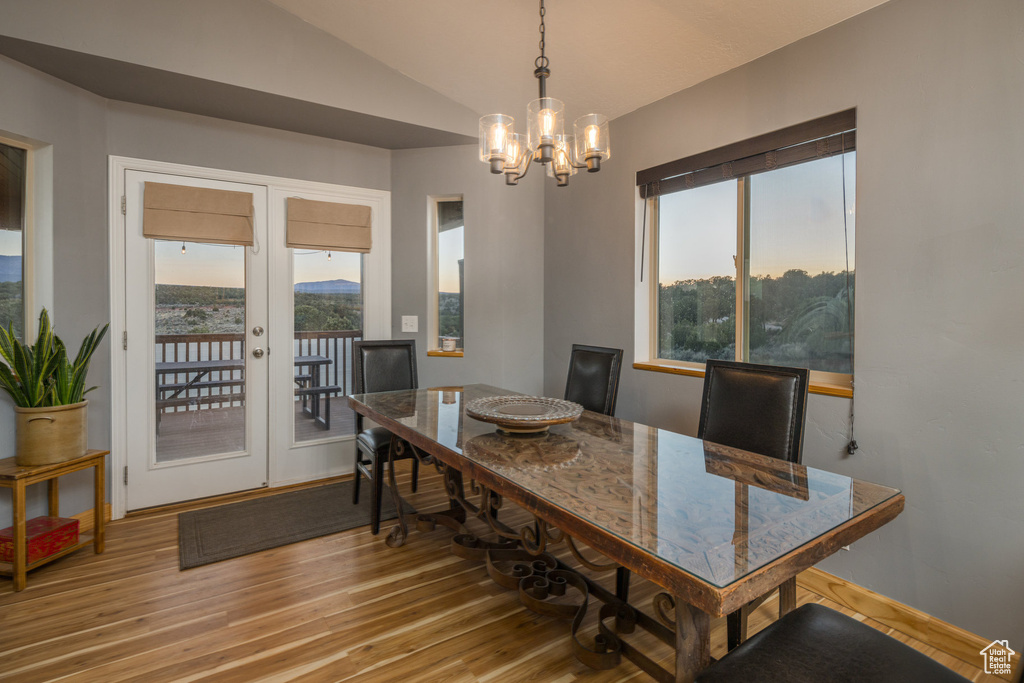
pixel 755 408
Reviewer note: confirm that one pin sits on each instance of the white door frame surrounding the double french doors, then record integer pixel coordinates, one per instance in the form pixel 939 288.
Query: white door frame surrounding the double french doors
pixel 377 291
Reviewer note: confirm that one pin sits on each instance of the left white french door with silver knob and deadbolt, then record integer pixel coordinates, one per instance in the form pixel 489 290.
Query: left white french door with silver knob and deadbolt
pixel 198 378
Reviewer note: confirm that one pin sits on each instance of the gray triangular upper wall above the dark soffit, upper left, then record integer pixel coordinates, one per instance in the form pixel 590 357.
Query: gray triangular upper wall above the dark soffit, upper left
pixel 245 44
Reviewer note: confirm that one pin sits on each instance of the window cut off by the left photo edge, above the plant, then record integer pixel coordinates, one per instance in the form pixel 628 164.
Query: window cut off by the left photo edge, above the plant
pixel 14 174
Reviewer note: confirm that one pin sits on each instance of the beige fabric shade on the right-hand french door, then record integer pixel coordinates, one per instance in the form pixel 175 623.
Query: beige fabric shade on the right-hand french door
pixel 328 226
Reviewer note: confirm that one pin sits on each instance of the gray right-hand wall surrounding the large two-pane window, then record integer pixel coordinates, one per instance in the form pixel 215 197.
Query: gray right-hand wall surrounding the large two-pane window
pixel 940 88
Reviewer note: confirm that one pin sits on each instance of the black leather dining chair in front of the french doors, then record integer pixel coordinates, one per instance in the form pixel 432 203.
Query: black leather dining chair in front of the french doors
pixel 380 366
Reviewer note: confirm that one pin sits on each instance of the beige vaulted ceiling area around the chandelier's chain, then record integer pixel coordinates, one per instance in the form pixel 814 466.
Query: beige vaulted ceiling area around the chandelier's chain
pixel 610 57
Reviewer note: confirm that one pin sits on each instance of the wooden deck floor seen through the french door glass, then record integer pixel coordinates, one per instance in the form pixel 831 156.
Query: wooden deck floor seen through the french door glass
pixel 186 435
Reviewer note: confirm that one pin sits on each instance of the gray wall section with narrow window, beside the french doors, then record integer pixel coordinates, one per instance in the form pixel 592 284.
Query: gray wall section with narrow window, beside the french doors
pixel 504 249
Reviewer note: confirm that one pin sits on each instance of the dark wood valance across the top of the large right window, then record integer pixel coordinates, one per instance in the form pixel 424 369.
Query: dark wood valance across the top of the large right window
pixel 829 136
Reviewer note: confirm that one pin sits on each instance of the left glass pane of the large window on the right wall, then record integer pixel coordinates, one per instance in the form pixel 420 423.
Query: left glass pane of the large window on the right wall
pixel 697 302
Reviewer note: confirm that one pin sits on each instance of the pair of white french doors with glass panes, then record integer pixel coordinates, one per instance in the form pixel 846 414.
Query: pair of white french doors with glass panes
pixel 237 360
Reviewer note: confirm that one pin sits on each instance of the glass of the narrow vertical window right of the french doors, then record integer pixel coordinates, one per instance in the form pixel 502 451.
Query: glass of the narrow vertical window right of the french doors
pixel 451 275
